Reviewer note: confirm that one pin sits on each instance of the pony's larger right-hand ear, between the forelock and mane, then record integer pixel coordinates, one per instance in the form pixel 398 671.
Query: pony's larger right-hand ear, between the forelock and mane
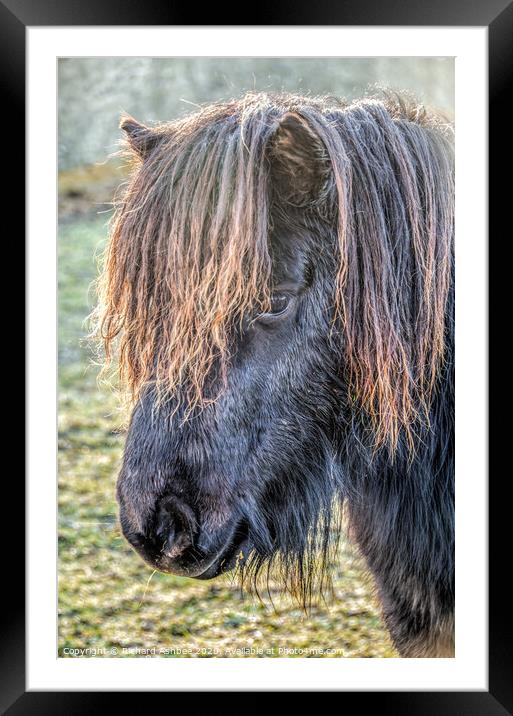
pixel 300 164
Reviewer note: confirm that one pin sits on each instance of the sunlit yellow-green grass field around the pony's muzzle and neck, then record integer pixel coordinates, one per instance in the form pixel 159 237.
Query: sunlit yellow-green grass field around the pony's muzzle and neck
pixel 109 601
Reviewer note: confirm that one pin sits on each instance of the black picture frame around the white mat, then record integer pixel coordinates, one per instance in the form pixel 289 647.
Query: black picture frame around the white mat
pixel 497 15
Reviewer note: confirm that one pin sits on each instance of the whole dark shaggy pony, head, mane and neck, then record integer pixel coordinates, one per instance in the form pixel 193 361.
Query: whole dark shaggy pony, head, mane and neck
pixel 277 299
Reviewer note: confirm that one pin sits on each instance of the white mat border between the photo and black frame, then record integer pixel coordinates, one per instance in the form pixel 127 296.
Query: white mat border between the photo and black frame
pixel 469 669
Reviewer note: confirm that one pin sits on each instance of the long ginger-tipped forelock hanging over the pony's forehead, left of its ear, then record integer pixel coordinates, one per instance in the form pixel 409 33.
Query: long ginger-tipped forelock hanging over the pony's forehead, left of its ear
pixel 189 255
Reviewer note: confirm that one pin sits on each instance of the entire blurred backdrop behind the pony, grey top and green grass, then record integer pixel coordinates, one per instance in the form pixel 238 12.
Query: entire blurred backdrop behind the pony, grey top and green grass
pixel 110 603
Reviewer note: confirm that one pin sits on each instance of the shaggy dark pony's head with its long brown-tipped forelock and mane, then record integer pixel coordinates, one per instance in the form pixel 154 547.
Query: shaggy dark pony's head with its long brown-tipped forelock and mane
pixel 352 206
